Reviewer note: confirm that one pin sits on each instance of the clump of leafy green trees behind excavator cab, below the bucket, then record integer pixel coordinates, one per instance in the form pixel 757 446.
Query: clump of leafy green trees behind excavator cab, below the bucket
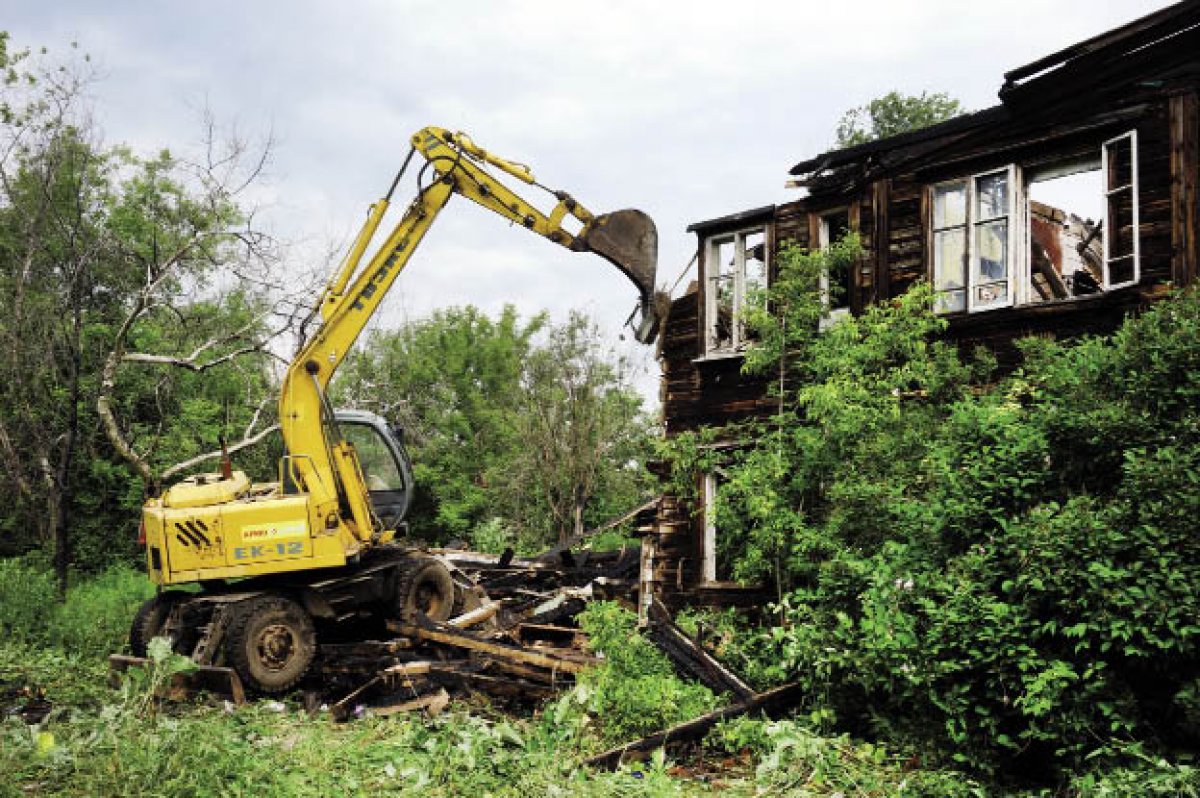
pixel 520 433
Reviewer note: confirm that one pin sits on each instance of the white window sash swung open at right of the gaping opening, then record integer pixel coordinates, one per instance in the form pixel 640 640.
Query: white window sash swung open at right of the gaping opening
pixel 1121 214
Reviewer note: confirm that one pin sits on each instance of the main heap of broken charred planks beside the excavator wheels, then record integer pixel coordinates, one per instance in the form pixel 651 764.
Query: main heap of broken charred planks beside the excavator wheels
pixel 517 640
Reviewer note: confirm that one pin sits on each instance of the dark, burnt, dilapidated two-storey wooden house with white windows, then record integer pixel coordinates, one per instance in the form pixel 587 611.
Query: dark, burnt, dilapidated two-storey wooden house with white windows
pixel 1058 212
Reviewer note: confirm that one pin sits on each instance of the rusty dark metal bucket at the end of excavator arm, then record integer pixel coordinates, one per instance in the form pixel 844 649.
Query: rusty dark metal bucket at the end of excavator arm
pixel 629 241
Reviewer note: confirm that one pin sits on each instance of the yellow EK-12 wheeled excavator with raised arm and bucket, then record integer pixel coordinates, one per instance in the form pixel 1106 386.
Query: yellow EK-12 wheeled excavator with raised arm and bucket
pixel 281 563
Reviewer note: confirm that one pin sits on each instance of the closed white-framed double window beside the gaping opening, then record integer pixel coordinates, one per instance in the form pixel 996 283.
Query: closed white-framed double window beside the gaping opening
pixel 973 247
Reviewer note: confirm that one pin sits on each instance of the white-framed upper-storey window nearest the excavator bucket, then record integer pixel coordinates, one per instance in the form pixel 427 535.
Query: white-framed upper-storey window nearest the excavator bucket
pixel 736 277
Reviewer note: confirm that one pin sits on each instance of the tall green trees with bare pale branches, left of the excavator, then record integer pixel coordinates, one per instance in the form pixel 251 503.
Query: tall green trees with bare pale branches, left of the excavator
pixel 109 260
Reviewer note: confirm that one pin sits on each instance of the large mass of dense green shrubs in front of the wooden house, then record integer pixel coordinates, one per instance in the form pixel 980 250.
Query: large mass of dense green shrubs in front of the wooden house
pixel 1005 573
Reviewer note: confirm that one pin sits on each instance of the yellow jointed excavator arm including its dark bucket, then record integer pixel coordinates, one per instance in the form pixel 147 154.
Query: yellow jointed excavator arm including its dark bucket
pixel 320 463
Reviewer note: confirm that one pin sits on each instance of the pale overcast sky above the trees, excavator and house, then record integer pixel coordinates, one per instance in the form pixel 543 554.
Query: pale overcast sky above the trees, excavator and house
pixel 687 111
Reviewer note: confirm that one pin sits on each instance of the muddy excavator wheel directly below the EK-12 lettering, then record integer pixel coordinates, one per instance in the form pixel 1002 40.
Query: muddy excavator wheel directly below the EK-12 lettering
pixel 271 644
